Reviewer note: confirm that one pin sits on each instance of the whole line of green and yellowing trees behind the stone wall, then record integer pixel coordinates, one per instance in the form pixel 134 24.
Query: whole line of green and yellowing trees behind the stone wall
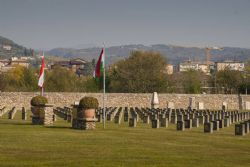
pixel 141 72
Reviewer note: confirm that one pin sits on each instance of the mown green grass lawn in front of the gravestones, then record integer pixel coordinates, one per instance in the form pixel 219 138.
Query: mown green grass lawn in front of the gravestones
pixel 23 144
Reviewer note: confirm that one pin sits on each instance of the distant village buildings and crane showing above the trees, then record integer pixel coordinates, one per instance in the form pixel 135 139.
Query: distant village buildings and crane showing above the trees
pixel 77 65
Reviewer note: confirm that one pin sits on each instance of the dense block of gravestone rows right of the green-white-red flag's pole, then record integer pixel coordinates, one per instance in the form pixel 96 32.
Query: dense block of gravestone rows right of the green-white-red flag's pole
pixel 186 119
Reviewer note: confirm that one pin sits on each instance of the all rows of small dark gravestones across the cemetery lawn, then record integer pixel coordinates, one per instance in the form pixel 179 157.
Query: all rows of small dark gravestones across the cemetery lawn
pixel 184 119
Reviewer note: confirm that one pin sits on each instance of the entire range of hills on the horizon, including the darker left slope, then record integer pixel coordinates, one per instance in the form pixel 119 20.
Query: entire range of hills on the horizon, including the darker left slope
pixel 174 54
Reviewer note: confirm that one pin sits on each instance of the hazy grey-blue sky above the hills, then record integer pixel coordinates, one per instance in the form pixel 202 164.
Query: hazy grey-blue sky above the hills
pixel 47 24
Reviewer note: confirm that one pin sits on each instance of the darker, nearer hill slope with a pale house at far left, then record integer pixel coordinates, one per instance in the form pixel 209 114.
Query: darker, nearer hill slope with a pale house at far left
pixel 8 48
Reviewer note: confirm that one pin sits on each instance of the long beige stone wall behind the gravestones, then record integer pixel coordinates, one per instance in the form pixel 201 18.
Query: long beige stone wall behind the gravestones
pixel 210 101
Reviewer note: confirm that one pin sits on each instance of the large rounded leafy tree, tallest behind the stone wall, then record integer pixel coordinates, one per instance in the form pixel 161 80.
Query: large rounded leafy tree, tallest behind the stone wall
pixel 143 71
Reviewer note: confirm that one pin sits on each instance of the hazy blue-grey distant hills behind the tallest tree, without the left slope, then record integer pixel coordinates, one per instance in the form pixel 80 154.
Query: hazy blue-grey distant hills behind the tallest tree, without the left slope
pixel 175 54
